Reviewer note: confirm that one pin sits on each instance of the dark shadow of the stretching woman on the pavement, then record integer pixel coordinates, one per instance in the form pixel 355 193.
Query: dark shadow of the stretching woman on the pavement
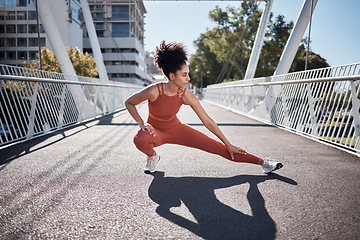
pixel 214 220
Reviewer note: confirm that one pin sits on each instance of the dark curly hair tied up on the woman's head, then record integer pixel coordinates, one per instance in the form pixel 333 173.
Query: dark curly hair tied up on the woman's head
pixel 170 57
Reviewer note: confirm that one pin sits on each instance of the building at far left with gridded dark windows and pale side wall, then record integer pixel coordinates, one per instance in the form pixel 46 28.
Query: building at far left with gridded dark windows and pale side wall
pixel 19 39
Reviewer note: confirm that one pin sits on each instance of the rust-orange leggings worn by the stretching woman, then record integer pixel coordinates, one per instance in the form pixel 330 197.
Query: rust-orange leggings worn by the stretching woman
pixel 185 135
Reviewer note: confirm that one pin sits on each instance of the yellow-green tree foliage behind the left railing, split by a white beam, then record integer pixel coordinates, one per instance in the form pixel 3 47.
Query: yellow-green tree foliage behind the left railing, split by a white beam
pixel 83 64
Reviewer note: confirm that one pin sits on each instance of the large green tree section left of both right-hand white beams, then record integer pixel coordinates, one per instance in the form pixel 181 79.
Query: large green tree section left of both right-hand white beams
pixel 223 51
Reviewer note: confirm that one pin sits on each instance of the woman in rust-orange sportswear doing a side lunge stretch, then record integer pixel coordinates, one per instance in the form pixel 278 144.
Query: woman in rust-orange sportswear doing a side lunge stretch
pixel 163 126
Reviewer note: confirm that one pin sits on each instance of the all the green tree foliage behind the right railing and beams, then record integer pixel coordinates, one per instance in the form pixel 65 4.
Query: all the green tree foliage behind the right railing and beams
pixel 223 52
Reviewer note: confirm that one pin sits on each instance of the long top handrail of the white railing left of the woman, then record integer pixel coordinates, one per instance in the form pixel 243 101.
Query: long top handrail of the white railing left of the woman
pixel 48 80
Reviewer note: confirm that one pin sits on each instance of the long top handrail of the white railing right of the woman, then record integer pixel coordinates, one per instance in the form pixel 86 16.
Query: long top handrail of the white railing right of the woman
pixel 310 80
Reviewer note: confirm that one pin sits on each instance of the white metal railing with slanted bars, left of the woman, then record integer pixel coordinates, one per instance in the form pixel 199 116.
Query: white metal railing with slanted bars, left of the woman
pixel 35 102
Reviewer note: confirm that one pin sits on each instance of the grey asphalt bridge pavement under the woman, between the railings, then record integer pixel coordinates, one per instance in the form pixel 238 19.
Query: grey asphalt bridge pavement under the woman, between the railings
pixel 87 182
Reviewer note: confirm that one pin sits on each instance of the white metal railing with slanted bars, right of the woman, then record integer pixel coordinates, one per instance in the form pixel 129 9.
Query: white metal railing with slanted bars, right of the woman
pixel 322 104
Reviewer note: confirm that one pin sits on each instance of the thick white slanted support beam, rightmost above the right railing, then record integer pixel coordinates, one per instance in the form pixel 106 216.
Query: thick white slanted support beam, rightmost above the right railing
pixel 295 37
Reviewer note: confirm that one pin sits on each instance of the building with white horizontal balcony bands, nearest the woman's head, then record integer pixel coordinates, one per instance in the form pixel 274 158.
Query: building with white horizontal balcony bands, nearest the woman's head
pixel 120 29
